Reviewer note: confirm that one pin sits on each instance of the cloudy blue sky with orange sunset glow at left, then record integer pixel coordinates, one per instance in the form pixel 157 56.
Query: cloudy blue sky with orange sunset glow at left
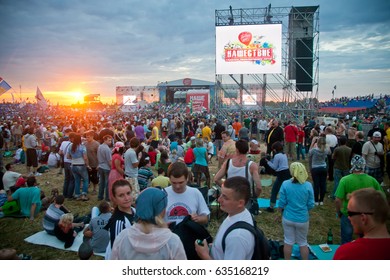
pixel 92 46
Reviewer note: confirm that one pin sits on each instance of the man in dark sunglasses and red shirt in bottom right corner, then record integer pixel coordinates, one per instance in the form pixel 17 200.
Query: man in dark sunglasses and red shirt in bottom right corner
pixel 368 212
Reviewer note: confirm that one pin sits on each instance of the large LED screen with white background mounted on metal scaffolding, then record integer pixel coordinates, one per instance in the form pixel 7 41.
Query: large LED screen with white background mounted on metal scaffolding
pixel 249 49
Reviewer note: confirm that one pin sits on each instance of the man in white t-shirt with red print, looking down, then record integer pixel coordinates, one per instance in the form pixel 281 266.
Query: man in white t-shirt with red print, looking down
pixel 182 199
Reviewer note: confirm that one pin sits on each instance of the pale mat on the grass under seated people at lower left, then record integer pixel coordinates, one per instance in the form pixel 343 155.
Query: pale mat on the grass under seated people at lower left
pixel 43 238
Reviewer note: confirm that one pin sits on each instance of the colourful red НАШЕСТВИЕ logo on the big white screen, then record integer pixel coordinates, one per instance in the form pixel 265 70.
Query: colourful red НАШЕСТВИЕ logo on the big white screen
pixel 248 47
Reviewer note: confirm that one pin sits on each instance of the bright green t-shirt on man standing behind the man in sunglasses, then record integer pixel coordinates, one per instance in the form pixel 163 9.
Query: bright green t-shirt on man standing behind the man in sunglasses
pixel 354 182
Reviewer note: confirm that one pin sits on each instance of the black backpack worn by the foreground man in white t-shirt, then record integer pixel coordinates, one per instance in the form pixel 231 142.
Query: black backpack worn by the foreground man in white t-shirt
pixel 262 248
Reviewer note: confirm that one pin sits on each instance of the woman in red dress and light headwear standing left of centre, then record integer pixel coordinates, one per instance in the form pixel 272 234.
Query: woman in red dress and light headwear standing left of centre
pixel 117 166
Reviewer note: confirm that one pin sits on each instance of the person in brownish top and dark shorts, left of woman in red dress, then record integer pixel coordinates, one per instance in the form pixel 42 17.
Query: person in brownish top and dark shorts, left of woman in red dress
pixel 92 147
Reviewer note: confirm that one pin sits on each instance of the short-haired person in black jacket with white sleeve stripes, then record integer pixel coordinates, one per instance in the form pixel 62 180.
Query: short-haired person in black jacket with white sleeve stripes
pixel 123 215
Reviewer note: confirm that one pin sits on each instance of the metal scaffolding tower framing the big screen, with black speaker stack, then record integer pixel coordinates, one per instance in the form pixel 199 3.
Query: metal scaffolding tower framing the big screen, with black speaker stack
pixel 296 87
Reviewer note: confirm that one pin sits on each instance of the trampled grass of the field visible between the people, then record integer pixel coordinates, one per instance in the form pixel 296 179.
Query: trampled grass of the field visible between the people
pixel 14 231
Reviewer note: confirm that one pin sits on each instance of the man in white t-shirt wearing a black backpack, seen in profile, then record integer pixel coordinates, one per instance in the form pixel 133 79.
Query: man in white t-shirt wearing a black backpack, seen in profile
pixel 240 242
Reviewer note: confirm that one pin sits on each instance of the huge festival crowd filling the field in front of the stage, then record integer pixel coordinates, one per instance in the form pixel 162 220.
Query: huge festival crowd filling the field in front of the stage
pixel 143 168
